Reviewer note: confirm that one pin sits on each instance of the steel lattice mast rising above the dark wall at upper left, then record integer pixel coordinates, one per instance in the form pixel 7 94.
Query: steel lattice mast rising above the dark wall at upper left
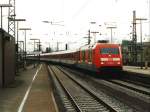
pixel 11 14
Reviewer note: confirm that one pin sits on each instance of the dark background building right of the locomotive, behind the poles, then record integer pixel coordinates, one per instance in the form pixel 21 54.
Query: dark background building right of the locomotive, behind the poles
pixel 143 52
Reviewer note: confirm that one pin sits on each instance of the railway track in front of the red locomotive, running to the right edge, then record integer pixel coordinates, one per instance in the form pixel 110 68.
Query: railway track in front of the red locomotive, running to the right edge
pixel 135 96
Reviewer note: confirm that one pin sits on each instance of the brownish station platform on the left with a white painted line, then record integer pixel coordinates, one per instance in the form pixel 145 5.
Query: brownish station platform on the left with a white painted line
pixel 31 92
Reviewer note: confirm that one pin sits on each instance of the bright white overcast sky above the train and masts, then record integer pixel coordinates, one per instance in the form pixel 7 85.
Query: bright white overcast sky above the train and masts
pixel 76 15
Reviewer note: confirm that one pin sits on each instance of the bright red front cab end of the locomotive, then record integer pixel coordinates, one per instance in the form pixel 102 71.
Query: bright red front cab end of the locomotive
pixel 108 57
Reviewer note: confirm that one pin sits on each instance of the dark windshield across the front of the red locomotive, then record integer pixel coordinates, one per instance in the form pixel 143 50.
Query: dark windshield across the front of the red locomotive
pixel 109 51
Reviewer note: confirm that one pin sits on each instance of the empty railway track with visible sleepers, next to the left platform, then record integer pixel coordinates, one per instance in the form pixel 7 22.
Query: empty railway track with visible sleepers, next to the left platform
pixel 81 98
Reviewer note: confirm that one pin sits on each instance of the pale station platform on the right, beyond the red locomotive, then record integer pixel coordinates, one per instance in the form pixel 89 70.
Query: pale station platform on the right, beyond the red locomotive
pixel 135 69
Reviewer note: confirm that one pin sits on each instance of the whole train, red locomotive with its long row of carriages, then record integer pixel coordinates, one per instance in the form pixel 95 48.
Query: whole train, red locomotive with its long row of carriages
pixel 97 57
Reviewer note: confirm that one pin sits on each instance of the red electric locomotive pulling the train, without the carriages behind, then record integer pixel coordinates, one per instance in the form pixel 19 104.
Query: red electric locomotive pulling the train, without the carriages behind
pixel 101 56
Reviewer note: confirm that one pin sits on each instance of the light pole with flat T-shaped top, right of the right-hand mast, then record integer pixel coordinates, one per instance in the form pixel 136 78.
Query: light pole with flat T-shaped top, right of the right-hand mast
pixel 141 19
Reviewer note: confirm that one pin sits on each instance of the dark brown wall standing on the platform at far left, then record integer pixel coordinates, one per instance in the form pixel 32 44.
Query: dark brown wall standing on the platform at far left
pixel 7 58
